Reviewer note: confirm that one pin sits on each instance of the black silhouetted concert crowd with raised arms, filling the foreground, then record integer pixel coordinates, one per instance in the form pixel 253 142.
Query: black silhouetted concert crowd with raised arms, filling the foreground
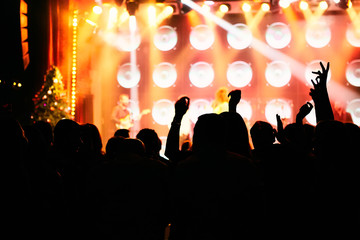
pixel 295 181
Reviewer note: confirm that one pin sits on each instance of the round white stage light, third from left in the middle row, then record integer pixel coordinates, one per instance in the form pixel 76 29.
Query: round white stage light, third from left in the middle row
pixel 201 74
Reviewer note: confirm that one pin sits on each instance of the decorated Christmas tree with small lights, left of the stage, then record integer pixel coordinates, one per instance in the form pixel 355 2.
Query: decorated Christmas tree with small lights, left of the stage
pixel 50 102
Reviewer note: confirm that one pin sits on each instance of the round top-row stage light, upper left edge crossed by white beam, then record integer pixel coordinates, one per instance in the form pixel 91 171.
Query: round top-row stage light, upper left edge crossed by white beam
pixel 242 39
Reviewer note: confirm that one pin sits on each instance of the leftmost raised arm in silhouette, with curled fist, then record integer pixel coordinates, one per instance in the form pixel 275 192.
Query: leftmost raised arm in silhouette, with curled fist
pixel 172 143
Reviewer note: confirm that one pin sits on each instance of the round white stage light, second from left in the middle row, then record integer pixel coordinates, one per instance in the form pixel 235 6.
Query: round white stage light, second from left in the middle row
pixel 164 75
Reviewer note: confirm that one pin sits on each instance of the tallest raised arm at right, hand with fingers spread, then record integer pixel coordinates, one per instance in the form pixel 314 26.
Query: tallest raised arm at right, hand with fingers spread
pixel 320 94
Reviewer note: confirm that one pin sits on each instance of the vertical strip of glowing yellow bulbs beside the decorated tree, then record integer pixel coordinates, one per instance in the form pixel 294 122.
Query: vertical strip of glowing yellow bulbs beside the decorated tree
pixel 74 62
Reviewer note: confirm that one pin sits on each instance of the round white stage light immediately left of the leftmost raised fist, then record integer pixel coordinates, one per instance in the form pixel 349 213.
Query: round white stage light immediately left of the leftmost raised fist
pixel 163 112
